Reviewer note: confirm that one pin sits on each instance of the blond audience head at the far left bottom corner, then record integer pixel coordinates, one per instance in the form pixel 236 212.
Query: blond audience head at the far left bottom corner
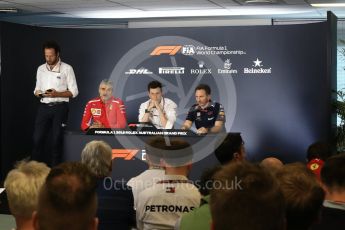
pixel 22 187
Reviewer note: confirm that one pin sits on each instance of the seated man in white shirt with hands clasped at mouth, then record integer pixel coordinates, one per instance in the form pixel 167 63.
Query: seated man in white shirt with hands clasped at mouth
pixel 158 110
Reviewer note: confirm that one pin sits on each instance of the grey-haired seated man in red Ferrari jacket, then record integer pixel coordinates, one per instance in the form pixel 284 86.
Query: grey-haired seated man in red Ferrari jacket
pixel 105 111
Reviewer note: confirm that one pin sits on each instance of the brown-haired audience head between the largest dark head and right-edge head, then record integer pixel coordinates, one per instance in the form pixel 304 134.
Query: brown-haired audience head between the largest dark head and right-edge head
pixel 303 195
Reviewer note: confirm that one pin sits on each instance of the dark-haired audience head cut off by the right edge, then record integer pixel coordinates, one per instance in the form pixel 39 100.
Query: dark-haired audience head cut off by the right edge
pixel 332 178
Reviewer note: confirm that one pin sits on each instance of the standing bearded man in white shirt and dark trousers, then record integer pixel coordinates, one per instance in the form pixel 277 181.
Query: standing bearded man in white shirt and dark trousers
pixel 55 84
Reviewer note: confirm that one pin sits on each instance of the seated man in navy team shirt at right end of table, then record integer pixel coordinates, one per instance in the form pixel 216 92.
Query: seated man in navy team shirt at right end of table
pixel 208 116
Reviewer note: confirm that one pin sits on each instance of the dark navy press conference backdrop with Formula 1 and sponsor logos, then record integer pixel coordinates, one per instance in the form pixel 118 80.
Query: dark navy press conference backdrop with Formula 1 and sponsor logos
pixel 271 79
